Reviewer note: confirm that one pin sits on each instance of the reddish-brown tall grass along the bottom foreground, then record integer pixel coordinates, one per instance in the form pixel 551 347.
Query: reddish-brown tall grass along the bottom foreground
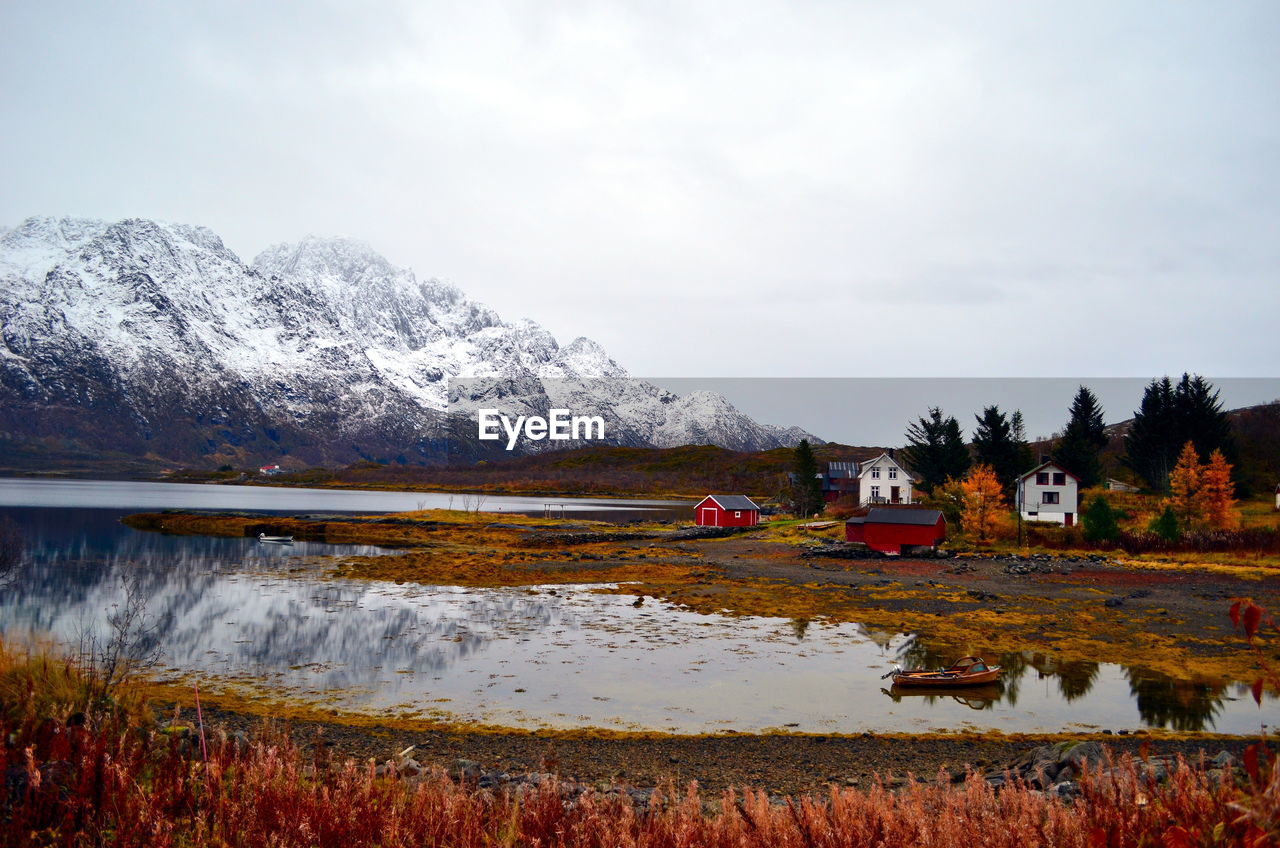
pixel 130 787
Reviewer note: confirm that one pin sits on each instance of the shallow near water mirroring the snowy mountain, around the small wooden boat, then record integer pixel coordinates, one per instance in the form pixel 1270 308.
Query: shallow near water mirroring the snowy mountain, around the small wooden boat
pixel 262 616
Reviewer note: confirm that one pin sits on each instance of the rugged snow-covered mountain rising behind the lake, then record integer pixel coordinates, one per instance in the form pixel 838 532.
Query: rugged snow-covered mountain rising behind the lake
pixel 157 340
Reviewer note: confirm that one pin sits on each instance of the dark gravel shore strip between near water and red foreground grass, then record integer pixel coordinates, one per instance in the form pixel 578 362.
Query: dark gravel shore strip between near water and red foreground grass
pixel 778 764
